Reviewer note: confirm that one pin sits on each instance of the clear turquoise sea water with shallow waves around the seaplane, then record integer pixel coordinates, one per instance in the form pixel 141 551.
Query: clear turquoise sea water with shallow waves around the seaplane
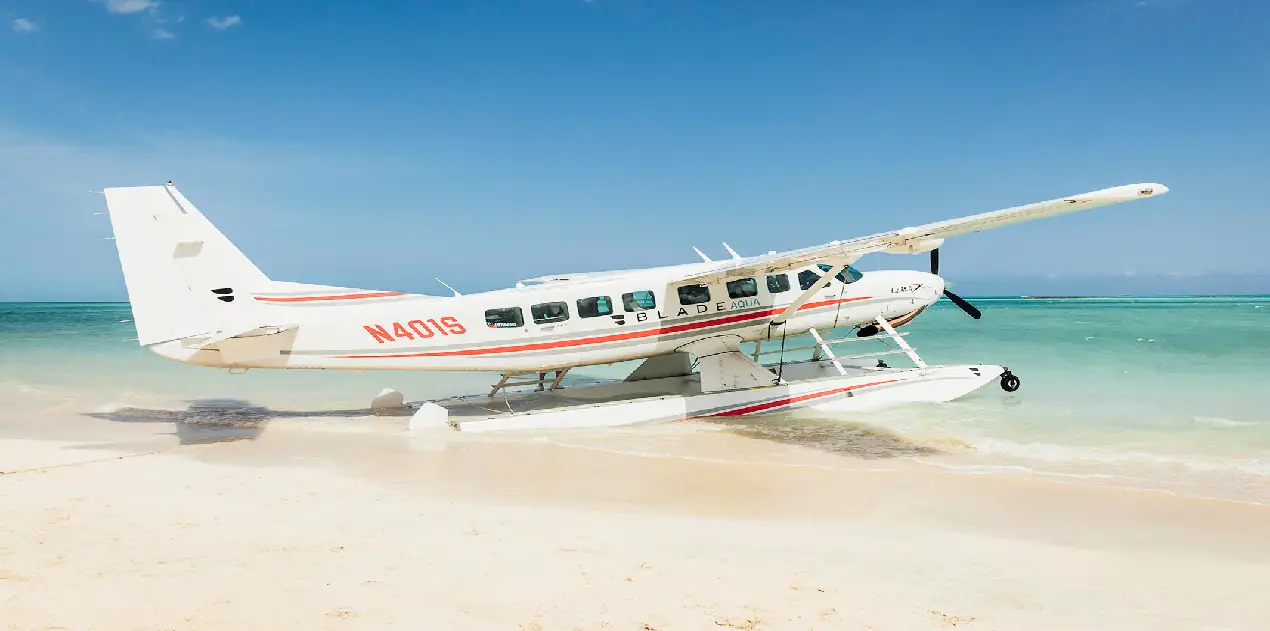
pixel 1168 393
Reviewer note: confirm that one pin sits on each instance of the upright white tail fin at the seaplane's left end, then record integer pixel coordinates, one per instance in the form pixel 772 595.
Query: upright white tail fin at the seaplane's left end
pixel 185 277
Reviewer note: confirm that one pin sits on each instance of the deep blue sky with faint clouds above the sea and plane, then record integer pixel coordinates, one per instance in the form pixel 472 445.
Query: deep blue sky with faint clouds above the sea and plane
pixel 382 144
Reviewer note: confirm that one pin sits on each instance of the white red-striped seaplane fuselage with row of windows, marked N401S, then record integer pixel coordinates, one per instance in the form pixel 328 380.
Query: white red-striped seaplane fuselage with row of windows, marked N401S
pixel 391 331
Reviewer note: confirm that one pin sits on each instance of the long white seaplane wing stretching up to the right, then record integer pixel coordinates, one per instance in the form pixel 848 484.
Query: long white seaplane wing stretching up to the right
pixel 919 239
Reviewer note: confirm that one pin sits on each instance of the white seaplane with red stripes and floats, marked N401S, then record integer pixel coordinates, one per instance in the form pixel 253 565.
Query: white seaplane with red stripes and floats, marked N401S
pixel 197 299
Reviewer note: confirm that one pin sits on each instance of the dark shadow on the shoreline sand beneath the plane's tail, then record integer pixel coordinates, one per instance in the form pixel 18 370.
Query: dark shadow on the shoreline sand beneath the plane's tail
pixel 218 421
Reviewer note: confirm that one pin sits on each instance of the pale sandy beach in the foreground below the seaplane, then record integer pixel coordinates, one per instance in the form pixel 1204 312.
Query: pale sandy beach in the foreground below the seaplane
pixel 140 521
